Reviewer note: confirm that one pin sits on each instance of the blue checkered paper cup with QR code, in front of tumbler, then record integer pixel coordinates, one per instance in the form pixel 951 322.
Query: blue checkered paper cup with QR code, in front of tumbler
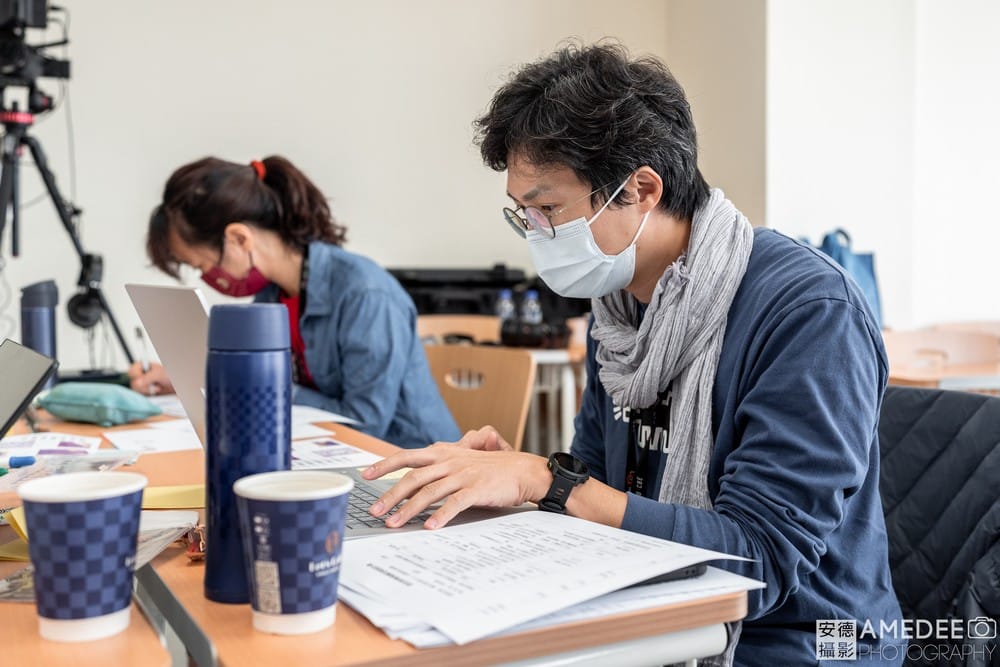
pixel 292 525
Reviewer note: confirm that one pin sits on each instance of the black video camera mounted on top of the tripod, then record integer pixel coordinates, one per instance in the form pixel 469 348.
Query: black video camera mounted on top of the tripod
pixel 22 64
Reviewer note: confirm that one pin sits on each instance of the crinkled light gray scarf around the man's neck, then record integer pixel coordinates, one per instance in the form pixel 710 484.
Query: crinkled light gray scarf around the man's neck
pixel 678 341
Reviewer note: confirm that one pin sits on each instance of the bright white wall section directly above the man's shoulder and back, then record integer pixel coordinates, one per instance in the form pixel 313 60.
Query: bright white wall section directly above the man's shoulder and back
pixel 840 131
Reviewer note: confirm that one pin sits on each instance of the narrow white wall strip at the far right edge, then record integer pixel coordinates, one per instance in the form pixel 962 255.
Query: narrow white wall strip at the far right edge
pixel 957 176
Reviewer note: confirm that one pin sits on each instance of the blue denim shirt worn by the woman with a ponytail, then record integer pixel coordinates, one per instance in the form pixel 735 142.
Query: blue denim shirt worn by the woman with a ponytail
pixel 363 352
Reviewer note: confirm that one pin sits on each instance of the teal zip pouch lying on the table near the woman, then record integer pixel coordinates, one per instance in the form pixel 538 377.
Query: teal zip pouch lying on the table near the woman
pixel 97 403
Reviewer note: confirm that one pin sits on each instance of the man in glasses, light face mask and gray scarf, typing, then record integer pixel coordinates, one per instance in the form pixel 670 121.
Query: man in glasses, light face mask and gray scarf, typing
pixel 734 375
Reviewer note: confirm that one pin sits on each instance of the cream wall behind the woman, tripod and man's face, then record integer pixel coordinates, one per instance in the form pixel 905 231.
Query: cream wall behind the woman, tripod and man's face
pixel 375 100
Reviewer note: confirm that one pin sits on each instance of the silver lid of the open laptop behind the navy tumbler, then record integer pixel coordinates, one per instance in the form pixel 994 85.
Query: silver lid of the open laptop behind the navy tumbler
pixel 176 321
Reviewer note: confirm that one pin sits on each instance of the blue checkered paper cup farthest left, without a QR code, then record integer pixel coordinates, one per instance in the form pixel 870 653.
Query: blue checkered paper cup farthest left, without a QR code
pixel 82 530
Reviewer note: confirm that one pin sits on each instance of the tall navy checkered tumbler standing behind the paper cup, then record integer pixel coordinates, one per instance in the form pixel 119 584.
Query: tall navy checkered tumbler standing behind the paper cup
pixel 248 393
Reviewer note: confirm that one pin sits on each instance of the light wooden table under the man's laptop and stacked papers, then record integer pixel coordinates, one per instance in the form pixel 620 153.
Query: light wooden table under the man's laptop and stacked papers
pixel 221 633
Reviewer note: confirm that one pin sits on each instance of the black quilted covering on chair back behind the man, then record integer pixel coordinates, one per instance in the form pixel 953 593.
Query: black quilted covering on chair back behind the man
pixel 940 486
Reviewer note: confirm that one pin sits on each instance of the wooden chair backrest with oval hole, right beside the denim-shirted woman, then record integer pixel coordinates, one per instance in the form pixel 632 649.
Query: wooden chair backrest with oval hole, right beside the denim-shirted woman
pixel 485 385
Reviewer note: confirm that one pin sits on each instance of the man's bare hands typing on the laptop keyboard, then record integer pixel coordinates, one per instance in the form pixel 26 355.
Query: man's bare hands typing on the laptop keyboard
pixel 477 471
